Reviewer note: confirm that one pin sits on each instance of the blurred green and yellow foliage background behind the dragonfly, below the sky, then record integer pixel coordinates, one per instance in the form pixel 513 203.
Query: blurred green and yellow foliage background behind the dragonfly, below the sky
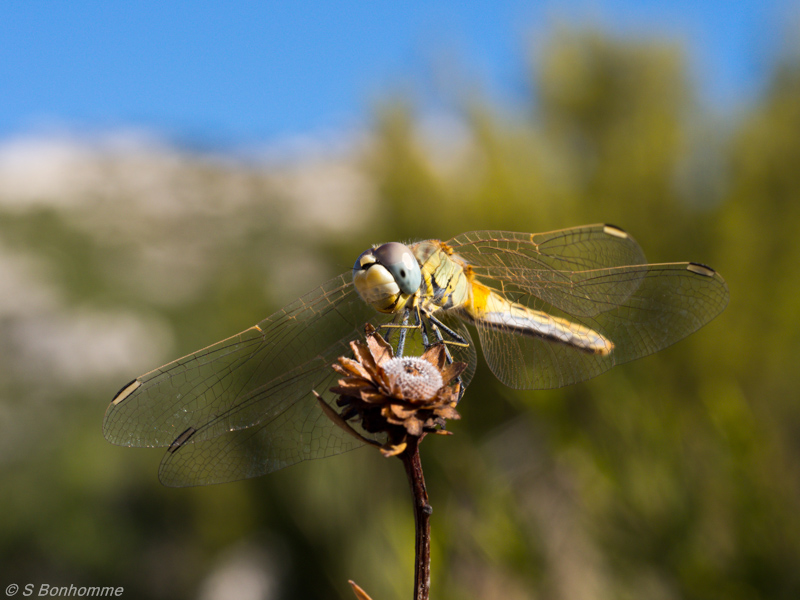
pixel 672 477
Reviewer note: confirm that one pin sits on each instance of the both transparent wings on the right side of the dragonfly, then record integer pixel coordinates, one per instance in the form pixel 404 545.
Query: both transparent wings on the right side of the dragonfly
pixel 640 308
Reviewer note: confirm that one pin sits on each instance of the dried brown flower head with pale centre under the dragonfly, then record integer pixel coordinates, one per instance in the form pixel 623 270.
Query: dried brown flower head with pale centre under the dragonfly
pixel 401 396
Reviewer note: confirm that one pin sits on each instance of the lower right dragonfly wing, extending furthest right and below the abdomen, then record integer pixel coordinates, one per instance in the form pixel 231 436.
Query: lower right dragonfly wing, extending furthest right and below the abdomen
pixel 654 307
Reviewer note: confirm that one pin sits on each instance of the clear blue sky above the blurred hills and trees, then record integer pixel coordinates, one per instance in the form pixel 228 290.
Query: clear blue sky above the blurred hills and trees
pixel 228 73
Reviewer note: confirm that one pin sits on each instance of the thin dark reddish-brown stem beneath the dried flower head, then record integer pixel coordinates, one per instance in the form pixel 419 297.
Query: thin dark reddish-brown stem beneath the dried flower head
pixel 422 514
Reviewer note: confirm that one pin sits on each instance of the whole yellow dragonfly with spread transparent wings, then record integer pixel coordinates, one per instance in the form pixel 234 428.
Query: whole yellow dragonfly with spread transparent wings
pixel 550 309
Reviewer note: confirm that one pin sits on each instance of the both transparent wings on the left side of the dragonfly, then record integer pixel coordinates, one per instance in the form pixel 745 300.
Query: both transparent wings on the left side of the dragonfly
pixel 260 378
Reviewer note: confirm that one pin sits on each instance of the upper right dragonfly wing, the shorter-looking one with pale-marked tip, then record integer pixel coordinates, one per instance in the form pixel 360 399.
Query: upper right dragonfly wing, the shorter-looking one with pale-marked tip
pixel 551 265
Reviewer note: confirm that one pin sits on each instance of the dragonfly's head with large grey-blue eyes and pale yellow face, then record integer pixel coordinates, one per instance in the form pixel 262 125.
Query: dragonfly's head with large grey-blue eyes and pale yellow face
pixel 386 276
